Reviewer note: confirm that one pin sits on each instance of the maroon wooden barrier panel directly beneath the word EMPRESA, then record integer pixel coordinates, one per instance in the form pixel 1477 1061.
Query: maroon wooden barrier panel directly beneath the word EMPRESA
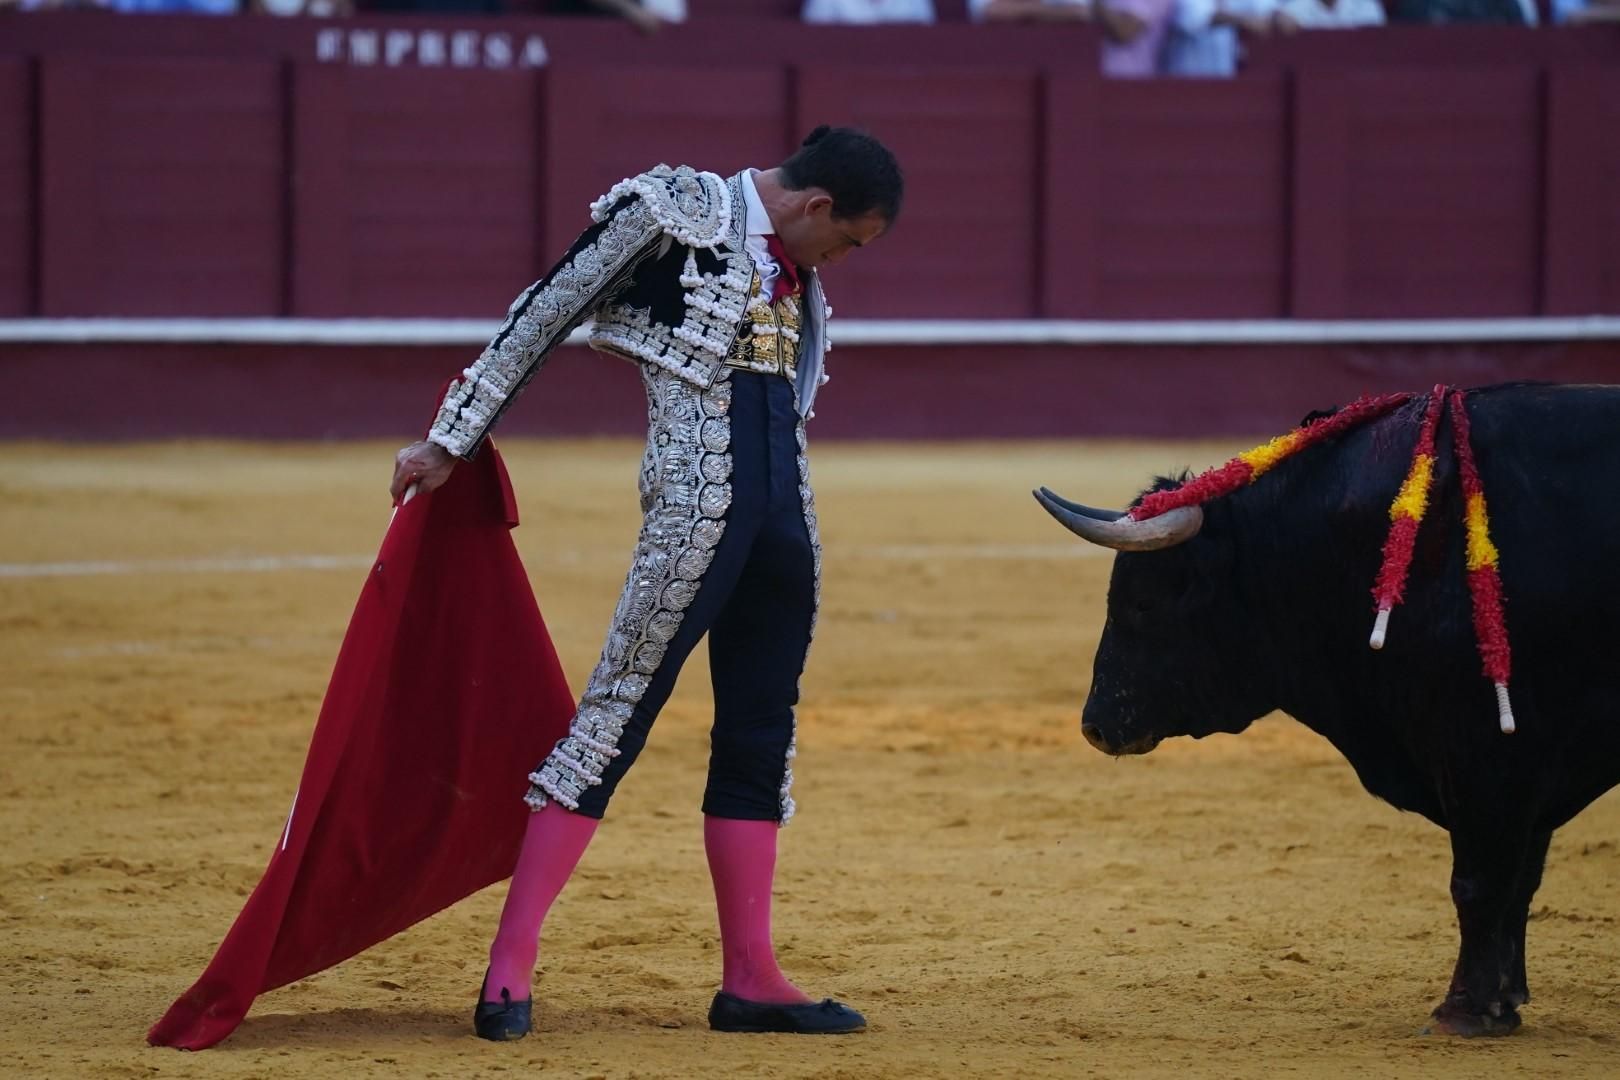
pixel 414 197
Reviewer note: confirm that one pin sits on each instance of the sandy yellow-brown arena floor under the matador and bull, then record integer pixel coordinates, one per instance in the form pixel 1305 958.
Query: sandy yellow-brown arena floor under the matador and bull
pixel 1000 899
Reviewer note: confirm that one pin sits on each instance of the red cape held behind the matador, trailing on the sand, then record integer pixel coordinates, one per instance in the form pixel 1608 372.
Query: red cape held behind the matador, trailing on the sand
pixel 446 694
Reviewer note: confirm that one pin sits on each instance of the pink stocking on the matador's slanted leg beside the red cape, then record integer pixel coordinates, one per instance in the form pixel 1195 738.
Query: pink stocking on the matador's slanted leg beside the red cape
pixel 553 844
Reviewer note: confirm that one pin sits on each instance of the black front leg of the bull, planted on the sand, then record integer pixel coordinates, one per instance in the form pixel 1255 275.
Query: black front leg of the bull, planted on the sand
pixel 1486 888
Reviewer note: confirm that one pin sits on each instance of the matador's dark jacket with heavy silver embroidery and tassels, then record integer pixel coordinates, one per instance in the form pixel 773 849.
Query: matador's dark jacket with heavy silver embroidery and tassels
pixel 668 281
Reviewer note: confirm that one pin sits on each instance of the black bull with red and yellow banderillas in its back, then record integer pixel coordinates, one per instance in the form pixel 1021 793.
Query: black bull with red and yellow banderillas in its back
pixel 1266 605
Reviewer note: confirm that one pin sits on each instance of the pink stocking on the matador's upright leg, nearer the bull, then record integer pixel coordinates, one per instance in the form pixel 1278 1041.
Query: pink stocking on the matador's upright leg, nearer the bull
pixel 743 862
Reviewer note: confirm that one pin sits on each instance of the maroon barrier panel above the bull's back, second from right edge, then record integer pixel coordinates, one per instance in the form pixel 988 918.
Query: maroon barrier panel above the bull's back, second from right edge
pixel 1417 193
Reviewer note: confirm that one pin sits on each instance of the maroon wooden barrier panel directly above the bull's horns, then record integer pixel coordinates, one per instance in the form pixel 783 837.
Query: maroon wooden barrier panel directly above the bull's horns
pixel 1164 202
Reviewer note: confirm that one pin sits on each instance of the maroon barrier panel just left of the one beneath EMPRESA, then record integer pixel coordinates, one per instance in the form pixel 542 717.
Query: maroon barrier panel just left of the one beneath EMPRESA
pixel 161 187
